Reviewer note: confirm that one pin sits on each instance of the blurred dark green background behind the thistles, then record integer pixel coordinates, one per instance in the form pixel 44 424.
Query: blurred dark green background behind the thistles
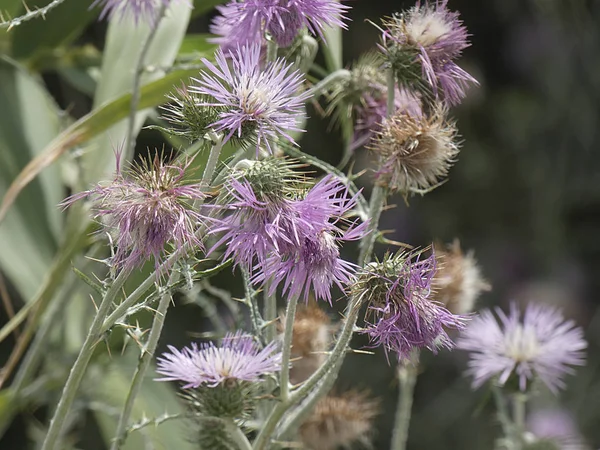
pixel 524 195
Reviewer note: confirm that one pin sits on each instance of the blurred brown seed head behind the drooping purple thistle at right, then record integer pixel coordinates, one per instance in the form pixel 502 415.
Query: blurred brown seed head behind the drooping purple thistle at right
pixel 458 281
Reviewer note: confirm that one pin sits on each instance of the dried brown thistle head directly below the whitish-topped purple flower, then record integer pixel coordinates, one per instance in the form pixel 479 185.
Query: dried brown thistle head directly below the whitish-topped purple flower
pixel 414 153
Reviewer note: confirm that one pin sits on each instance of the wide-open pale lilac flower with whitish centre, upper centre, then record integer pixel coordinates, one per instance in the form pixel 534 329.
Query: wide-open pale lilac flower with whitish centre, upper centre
pixel 260 104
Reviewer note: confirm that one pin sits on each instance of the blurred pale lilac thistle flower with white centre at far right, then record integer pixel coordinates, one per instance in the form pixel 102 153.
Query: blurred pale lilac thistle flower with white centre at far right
pixel 543 345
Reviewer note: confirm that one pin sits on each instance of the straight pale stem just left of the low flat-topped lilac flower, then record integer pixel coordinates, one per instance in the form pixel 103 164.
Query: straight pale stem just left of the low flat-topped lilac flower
pixel 143 364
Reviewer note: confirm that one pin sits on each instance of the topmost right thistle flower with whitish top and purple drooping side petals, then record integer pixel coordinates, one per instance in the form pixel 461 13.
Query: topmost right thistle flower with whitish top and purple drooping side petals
pixel 421 47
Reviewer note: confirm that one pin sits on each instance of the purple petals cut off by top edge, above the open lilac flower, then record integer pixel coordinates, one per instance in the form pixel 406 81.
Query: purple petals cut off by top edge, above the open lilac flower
pixel 246 21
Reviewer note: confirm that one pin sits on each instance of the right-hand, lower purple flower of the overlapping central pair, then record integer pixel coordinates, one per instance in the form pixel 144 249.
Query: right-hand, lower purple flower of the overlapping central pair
pixel 315 264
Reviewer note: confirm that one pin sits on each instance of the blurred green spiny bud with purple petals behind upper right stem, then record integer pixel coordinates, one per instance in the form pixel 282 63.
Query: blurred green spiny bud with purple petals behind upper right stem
pixel 362 95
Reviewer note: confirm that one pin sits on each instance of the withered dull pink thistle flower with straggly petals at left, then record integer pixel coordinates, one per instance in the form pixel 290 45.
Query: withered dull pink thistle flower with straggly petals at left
pixel 148 207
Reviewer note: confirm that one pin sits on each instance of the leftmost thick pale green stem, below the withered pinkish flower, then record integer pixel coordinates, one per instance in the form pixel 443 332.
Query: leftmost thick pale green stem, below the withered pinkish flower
pixel 81 363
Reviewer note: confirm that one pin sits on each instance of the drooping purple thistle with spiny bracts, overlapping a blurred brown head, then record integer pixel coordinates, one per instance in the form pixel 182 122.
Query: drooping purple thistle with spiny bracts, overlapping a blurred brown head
pixel 402 315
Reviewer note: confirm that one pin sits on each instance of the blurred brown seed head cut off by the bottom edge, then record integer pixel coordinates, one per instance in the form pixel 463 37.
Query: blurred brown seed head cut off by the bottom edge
pixel 340 421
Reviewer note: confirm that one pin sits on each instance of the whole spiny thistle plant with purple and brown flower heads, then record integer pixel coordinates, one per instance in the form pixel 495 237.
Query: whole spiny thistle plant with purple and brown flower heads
pixel 283 228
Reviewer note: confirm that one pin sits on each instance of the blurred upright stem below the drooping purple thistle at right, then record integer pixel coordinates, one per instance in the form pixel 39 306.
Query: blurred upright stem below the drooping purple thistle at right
pixel 407 377
